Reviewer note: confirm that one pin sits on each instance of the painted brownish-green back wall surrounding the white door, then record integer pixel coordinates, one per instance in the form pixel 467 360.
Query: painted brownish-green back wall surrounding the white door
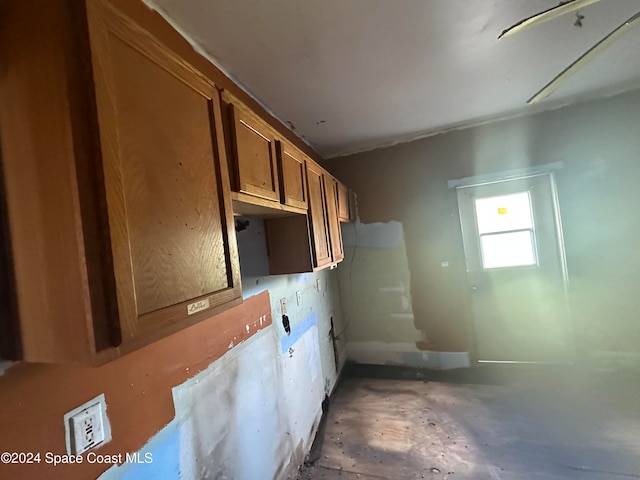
pixel 597 142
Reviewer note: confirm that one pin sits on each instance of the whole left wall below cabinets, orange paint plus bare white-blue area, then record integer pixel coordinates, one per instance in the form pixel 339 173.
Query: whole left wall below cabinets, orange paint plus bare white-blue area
pixel 196 408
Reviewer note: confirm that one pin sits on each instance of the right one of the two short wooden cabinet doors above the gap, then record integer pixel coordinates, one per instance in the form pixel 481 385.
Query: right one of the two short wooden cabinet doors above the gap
pixel 292 175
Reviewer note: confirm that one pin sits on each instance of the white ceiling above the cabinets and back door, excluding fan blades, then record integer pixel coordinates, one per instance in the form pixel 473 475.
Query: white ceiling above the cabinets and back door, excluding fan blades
pixel 352 75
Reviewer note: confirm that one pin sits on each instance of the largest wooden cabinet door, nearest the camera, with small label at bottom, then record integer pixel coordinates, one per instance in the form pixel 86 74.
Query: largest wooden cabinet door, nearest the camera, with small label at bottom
pixel 168 199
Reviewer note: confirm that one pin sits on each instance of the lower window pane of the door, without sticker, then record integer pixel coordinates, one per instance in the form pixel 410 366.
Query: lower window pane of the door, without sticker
pixel 512 249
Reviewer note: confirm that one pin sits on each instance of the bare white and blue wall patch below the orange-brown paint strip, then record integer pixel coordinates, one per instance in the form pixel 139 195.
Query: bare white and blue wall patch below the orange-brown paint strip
pixel 236 420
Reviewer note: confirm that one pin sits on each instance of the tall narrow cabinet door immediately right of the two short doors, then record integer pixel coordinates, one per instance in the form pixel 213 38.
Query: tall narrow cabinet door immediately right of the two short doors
pixel 318 213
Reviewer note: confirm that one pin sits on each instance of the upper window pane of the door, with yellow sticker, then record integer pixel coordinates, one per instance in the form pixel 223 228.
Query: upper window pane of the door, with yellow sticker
pixel 504 213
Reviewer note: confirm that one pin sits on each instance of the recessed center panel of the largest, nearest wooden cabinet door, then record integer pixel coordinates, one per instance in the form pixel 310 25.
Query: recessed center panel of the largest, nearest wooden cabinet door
pixel 169 184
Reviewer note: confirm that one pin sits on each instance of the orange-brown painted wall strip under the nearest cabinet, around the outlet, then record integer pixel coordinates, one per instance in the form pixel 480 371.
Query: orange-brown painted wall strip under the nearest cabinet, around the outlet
pixel 137 389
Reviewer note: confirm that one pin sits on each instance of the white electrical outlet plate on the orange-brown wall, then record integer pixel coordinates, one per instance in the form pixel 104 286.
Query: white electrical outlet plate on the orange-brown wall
pixel 87 426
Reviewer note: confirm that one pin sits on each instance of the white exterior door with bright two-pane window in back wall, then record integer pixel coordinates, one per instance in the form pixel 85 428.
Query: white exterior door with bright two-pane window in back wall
pixel 516 270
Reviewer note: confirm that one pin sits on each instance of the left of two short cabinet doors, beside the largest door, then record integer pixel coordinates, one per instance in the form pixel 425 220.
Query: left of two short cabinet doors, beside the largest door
pixel 254 155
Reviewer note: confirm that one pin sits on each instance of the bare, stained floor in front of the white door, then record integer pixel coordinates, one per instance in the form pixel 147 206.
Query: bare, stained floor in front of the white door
pixel 517 428
